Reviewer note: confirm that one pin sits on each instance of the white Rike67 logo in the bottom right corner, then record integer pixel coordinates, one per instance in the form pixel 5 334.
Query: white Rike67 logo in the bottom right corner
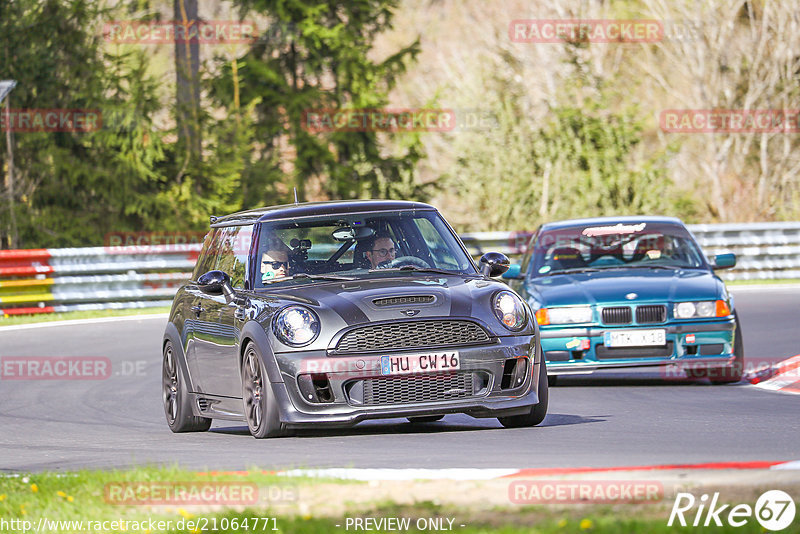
pixel 774 511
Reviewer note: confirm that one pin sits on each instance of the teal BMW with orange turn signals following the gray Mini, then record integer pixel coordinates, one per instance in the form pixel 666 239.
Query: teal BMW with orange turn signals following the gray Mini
pixel 619 292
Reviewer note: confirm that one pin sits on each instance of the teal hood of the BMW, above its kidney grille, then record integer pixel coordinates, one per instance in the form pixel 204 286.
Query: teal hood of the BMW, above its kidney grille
pixel 616 286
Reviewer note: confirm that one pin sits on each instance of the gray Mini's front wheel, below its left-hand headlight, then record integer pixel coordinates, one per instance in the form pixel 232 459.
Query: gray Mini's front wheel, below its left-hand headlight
pixel 260 405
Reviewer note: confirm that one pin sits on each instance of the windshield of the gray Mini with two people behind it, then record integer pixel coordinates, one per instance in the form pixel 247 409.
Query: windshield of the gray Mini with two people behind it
pixel 352 246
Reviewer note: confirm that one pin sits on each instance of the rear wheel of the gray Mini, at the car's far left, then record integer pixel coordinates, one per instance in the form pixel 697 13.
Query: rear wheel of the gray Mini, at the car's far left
pixel 175 396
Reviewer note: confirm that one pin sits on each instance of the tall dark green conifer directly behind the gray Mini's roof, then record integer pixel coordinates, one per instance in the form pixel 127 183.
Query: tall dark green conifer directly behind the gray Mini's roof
pixel 317 56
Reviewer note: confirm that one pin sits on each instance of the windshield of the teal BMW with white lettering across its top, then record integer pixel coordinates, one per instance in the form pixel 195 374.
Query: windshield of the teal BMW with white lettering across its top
pixel 592 247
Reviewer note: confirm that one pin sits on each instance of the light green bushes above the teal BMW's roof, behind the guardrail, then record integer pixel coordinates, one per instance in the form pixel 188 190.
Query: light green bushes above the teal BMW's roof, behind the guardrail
pixel 584 159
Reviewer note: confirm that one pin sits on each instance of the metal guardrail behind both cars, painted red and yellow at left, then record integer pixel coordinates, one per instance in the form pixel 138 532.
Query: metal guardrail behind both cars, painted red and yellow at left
pixel 56 280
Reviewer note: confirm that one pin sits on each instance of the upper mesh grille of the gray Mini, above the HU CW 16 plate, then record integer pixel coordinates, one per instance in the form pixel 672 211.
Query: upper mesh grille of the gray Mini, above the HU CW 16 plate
pixel 406 335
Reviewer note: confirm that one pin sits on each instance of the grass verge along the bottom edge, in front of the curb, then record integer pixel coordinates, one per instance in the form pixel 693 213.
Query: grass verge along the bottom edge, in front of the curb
pixel 154 500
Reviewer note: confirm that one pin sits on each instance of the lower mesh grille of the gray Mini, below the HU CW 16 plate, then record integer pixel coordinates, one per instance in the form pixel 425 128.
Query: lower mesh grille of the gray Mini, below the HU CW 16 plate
pixel 405 390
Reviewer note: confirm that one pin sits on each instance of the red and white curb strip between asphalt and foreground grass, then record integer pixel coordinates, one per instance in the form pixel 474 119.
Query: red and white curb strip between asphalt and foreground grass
pixel 502 473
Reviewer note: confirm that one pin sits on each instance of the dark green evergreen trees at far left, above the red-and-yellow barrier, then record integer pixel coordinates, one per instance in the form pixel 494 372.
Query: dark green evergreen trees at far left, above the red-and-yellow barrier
pixel 71 185
